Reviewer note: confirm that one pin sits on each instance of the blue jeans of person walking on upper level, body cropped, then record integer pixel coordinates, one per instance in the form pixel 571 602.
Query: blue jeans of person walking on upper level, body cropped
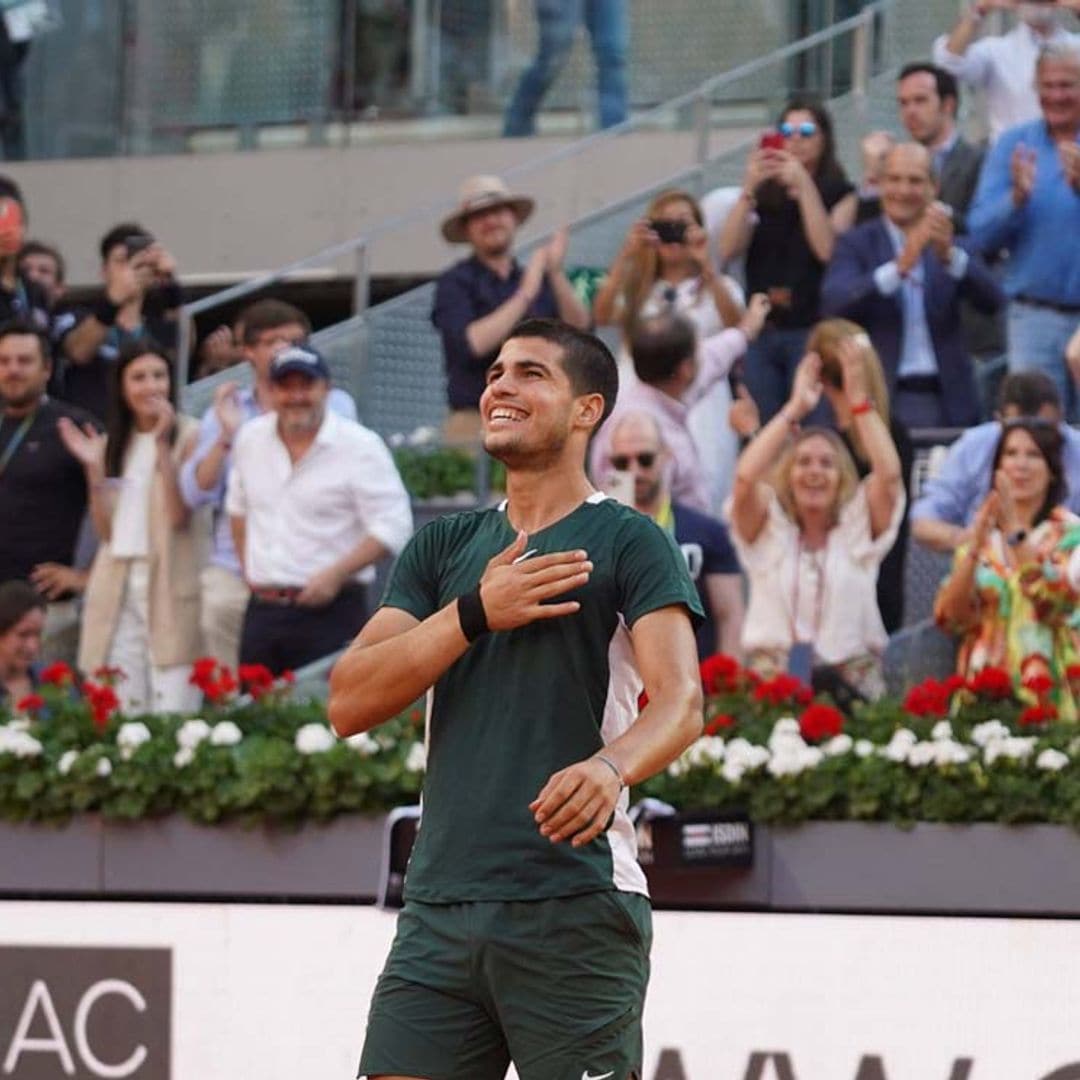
pixel 609 25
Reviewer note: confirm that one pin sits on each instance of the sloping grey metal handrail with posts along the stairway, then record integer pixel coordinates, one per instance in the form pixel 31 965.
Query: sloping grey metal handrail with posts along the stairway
pixel 693 113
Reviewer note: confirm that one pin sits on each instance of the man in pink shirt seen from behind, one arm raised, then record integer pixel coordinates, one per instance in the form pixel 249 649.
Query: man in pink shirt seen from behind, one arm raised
pixel 673 373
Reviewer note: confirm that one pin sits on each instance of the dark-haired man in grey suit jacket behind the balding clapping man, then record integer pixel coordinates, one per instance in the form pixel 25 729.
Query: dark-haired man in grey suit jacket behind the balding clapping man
pixel 928 100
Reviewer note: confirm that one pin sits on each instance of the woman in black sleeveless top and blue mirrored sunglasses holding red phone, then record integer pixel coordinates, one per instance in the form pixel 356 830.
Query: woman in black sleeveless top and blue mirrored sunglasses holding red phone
pixel 795 201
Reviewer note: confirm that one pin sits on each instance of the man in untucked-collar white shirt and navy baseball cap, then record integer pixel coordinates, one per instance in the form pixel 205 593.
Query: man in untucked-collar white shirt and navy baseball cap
pixel 315 502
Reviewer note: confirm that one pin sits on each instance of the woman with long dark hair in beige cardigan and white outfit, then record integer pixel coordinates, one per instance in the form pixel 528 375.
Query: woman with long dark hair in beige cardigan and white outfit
pixel 142 605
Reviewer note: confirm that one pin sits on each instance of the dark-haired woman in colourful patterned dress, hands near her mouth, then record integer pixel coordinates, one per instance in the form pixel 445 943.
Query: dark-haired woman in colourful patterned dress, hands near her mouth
pixel 1014 597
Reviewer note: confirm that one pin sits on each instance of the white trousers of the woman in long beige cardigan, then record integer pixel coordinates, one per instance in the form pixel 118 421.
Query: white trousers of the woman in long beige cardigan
pixel 146 688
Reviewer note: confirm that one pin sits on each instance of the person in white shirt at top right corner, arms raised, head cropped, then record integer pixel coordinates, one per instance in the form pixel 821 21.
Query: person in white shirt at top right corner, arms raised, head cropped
pixel 1005 66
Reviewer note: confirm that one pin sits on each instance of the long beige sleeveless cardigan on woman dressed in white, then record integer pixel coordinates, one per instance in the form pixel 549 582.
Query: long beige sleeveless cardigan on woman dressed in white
pixel 177 559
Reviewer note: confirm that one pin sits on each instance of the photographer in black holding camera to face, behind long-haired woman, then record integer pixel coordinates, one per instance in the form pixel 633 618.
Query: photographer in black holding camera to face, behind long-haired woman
pixel 142 300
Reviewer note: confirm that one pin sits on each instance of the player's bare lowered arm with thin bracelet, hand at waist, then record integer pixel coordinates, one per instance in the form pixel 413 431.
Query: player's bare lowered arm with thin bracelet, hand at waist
pixel 577 803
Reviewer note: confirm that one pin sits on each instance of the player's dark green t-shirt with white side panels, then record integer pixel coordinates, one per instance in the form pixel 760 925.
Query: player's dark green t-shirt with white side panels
pixel 522 705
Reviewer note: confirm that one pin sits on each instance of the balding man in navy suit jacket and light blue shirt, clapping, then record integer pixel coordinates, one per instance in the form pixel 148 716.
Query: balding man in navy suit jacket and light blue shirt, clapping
pixel 902 278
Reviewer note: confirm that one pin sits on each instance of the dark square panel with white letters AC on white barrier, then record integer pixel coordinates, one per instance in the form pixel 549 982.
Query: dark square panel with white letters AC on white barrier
pixel 86 1014
